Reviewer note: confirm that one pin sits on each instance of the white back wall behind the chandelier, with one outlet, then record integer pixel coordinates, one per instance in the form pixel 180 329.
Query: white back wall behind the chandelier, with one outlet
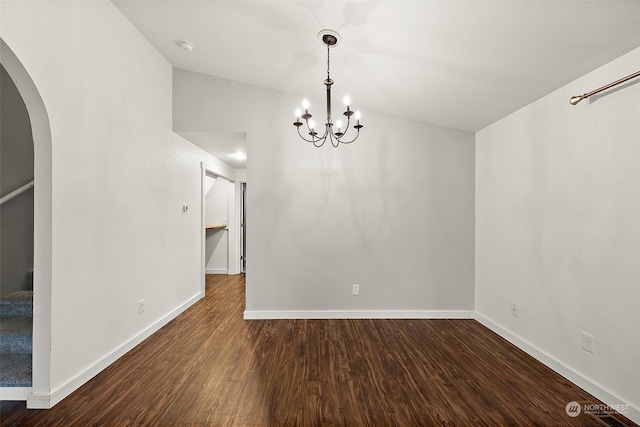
pixel 392 212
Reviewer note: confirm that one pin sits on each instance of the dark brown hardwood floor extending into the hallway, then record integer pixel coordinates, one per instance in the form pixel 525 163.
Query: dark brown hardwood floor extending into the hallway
pixel 209 367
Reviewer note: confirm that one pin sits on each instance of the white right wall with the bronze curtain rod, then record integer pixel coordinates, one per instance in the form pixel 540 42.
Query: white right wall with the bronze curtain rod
pixel 558 230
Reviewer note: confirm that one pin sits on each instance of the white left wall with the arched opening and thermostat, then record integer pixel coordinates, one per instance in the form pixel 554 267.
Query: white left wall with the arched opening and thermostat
pixel 119 179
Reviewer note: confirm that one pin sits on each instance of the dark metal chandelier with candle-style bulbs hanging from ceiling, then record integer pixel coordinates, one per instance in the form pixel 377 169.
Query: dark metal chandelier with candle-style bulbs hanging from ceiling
pixel 332 131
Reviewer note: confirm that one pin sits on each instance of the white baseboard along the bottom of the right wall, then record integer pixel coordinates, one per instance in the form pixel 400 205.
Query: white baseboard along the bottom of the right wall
pixel 584 383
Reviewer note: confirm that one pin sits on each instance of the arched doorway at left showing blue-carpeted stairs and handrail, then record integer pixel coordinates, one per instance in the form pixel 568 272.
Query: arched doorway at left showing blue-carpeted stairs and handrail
pixel 16 242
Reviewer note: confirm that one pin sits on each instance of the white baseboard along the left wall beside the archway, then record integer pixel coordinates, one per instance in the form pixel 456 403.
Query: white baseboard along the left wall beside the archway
pixel 47 401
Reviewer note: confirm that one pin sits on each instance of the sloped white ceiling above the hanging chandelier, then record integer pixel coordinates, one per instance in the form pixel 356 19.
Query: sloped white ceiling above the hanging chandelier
pixel 459 64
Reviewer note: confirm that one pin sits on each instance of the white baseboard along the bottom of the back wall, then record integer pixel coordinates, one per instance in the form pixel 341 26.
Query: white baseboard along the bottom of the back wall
pixel 359 314
